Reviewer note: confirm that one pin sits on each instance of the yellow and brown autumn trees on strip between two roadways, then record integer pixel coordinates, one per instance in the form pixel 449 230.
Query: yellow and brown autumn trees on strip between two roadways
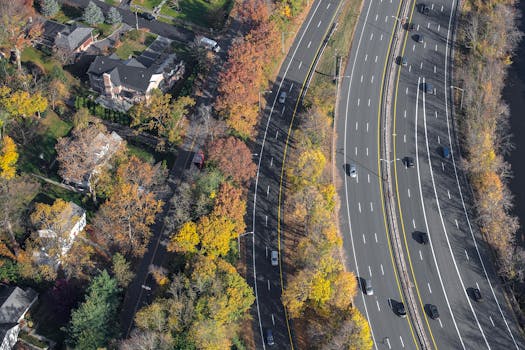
pixel 320 292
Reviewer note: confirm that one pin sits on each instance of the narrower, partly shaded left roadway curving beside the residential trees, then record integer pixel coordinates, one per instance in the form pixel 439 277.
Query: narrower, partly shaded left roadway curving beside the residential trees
pixel 266 195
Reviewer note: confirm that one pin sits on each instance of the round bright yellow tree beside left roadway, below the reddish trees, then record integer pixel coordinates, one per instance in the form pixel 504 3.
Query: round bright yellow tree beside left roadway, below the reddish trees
pixel 215 235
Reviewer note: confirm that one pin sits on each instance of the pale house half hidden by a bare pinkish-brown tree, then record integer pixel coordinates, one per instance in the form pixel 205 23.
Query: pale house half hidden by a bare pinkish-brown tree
pixel 93 148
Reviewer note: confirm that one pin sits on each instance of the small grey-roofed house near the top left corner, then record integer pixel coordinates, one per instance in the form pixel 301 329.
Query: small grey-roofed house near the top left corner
pixel 70 39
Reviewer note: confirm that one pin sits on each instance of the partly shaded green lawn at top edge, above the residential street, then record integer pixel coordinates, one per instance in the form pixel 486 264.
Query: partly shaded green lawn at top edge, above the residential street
pixel 205 14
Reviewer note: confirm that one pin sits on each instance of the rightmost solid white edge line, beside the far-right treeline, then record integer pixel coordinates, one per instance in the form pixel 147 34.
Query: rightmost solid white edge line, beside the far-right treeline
pixel 459 186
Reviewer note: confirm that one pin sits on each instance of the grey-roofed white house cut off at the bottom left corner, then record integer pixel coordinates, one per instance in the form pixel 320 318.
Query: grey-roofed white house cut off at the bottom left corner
pixel 15 303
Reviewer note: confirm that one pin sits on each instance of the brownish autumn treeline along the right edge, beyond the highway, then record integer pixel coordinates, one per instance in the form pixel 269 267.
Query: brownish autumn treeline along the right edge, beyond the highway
pixel 488 36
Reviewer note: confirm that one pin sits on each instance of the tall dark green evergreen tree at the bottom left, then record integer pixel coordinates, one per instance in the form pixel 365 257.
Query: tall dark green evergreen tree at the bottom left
pixel 93 324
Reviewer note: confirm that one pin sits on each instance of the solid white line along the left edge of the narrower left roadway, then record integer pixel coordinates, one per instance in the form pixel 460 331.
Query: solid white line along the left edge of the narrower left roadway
pixel 258 171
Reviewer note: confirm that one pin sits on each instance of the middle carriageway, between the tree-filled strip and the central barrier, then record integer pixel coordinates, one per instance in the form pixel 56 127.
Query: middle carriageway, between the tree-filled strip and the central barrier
pixel 362 220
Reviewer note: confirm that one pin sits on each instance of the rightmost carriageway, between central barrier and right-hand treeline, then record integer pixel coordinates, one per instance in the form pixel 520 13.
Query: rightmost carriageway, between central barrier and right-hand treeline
pixel 433 197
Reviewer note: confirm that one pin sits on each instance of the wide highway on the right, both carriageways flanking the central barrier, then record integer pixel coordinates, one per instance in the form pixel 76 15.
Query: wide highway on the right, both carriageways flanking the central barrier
pixel 431 197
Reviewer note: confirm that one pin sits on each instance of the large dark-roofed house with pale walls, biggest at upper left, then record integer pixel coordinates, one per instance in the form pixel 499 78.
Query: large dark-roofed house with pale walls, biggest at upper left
pixel 122 83
